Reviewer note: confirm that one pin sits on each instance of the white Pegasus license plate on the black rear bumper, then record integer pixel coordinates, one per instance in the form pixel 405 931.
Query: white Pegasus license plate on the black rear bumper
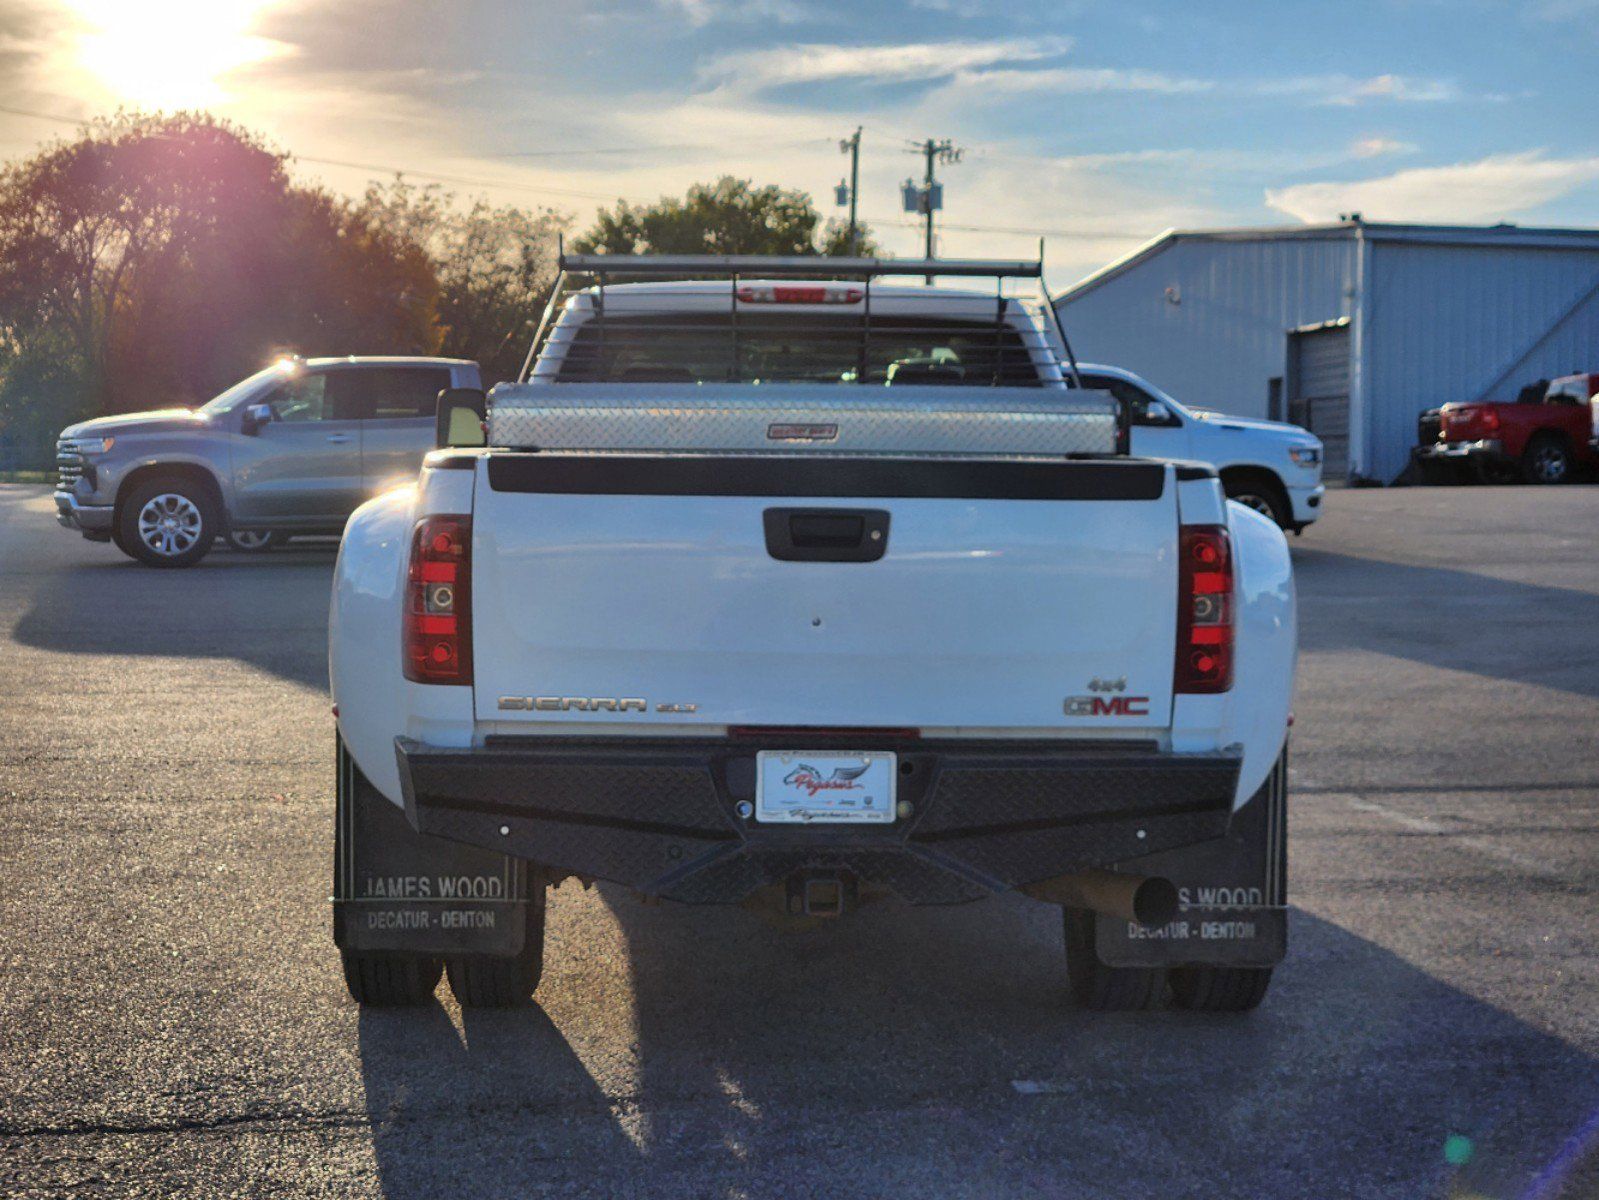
pixel 824 786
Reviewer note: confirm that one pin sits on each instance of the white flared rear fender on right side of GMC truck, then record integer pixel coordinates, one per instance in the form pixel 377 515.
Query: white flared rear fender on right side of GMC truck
pixel 1266 644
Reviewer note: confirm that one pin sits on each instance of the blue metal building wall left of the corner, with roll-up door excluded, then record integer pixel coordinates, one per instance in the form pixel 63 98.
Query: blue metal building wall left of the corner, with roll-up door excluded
pixel 1227 335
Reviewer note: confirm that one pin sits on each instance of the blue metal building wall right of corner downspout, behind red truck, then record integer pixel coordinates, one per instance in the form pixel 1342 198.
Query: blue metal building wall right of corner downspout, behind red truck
pixel 1457 322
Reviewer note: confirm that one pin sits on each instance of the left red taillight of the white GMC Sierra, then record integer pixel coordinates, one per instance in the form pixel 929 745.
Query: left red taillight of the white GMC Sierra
pixel 439 602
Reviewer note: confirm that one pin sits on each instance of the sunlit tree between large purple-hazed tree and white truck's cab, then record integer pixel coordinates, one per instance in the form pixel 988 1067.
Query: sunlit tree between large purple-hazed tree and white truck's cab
pixel 495 268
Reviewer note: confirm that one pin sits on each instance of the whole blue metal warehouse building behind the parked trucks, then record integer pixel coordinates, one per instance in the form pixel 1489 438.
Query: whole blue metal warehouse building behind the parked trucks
pixel 1352 330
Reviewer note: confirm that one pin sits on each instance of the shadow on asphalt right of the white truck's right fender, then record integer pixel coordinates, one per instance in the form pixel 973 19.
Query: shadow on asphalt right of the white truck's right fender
pixel 1421 614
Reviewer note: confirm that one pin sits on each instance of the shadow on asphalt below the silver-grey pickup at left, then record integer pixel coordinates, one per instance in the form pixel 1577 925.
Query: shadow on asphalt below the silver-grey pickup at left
pixel 268 612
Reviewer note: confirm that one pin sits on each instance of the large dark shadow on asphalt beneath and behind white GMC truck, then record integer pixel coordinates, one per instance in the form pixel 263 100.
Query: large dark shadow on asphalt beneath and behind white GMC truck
pixel 882 1055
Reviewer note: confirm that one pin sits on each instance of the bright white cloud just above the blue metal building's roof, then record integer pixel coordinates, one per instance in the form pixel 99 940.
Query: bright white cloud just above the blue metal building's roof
pixel 1488 190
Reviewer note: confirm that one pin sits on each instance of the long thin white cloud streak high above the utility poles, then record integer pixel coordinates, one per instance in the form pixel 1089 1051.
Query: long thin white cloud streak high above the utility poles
pixel 904 63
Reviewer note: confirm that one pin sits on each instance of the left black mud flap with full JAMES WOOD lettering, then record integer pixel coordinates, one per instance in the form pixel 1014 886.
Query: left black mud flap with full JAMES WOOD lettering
pixel 399 890
